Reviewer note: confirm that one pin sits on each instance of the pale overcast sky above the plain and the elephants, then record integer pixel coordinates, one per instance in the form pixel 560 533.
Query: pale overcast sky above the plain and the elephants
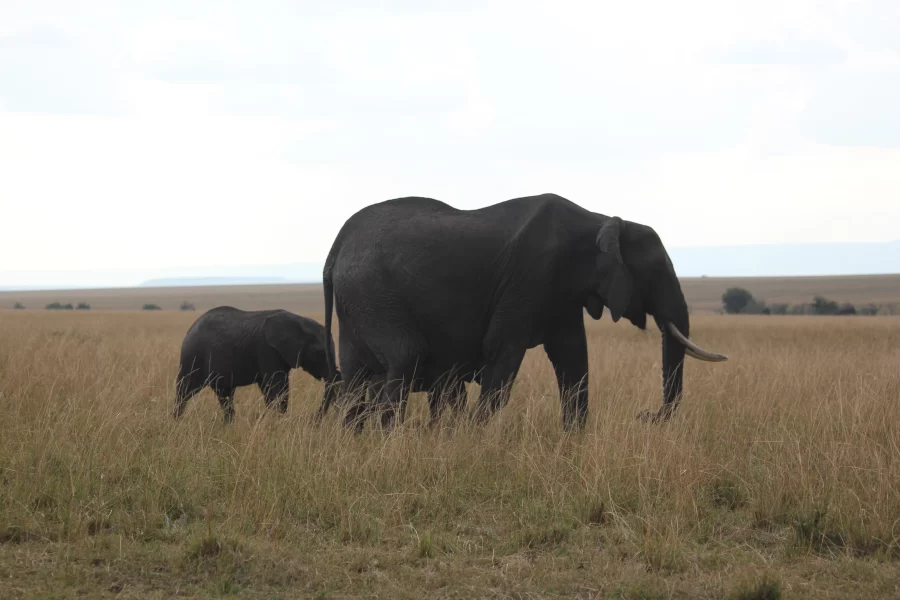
pixel 185 133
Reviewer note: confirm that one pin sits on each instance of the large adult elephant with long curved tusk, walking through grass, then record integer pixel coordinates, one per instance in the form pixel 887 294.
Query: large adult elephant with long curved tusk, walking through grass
pixel 422 289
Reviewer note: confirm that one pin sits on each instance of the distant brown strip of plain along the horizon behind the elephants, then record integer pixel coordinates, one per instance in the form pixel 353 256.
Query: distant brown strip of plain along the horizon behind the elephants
pixel 703 294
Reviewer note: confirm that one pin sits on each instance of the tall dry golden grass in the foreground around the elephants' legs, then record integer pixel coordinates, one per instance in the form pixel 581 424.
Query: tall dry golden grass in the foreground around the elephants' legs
pixel 779 478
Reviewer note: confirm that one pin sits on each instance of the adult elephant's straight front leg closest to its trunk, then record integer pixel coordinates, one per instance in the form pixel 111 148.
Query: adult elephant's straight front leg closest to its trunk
pixel 567 350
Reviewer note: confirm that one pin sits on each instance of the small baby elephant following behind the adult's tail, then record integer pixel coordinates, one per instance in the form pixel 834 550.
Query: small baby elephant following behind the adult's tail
pixel 227 348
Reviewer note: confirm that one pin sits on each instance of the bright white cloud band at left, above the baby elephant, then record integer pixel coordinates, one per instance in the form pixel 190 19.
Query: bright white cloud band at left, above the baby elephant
pixel 93 192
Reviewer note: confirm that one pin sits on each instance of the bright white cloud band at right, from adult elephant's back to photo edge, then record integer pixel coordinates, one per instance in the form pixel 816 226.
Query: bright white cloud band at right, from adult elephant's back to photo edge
pixel 736 197
